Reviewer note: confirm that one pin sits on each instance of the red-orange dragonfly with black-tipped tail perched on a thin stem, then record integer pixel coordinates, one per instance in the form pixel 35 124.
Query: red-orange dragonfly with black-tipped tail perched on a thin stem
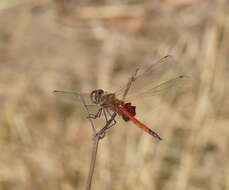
pixel 141 85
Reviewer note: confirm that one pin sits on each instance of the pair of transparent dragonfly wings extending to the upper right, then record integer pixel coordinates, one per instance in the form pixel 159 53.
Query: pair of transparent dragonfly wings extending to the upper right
pixel 157 78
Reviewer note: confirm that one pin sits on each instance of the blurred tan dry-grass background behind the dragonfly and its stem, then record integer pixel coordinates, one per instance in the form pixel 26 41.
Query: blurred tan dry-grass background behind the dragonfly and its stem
pixel 46 143
